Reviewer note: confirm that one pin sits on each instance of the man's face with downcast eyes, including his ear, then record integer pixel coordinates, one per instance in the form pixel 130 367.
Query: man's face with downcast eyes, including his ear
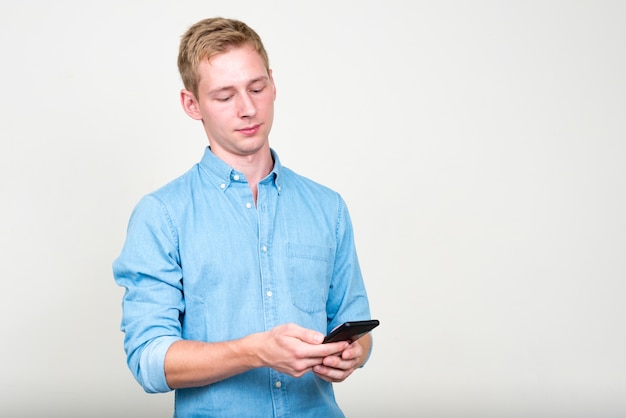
pixel 235 102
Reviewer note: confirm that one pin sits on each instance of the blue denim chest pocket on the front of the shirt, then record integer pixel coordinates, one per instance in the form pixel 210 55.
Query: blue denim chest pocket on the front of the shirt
pixel 309 272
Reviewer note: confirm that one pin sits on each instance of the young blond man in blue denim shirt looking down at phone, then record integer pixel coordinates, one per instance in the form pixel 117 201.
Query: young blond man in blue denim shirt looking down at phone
pixel 235 271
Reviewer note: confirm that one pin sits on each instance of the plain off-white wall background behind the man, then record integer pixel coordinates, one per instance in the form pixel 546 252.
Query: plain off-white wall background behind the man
pixel 480 146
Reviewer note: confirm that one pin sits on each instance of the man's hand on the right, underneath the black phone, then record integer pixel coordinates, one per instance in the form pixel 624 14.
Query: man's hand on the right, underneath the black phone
pixel 337 368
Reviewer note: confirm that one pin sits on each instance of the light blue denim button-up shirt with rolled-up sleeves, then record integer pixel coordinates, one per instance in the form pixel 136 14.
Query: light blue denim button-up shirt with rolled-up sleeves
pixel 202 262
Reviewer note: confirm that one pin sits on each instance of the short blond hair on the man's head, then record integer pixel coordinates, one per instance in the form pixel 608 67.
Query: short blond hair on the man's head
pixel 210 37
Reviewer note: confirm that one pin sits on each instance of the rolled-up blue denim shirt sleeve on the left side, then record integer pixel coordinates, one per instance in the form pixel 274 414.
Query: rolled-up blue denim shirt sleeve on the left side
pixel 152 306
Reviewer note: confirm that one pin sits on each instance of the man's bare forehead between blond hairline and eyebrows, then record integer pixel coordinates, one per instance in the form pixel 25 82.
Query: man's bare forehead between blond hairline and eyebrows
pixel 236 66
